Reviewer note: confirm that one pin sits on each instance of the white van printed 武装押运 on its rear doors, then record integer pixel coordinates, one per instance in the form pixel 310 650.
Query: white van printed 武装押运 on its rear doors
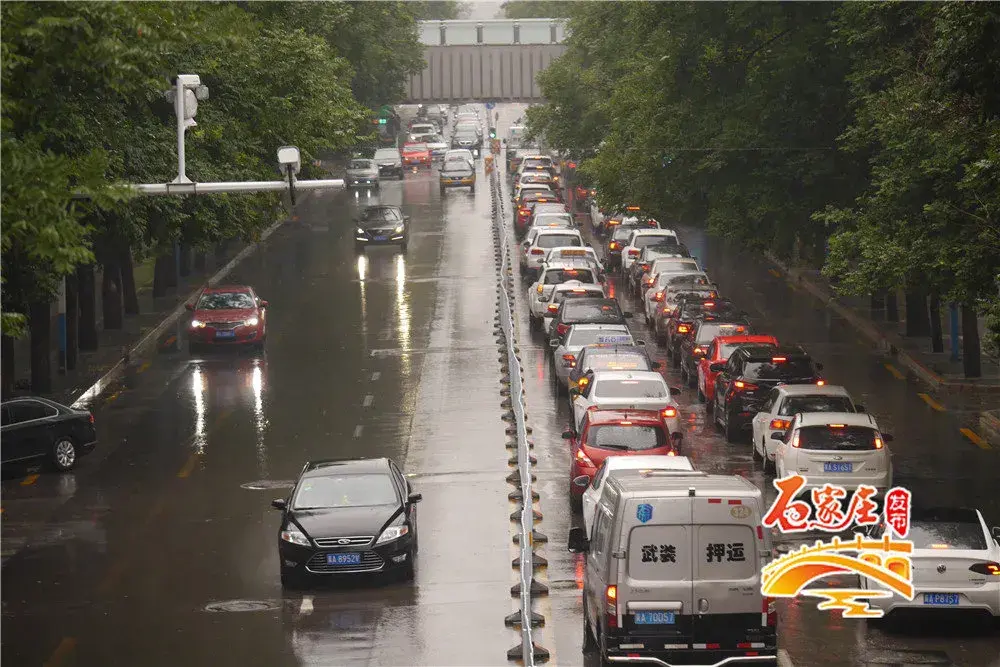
pixel 672 572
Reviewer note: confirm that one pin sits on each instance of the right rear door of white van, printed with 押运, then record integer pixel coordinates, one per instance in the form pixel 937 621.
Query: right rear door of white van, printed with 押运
pixel 728 545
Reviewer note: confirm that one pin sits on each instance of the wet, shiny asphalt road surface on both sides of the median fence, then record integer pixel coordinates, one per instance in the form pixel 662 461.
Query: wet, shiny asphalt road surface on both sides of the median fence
pixel 161 548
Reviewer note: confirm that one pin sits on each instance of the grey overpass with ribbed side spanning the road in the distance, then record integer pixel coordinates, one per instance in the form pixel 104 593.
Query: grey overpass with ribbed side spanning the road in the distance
pixel 485 60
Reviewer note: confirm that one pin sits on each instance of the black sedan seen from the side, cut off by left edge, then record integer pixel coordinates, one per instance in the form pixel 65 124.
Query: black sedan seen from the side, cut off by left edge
pixel 39 429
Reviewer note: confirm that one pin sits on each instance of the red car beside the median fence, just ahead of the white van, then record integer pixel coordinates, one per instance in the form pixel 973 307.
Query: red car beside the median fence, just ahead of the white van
pixel 605 433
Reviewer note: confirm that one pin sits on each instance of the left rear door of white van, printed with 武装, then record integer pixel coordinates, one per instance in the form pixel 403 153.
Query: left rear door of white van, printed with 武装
pixel 655 595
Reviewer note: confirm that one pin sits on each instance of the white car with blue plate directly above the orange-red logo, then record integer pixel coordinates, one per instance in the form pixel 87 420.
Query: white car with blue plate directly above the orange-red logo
pixel 842 448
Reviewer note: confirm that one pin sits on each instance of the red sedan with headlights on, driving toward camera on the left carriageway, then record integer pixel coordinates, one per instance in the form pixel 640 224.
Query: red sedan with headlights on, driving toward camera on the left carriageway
pixel 230 315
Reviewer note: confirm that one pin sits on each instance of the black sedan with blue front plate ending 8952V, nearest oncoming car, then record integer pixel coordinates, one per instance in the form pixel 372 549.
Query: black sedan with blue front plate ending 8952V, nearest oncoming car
pixel 347 517
